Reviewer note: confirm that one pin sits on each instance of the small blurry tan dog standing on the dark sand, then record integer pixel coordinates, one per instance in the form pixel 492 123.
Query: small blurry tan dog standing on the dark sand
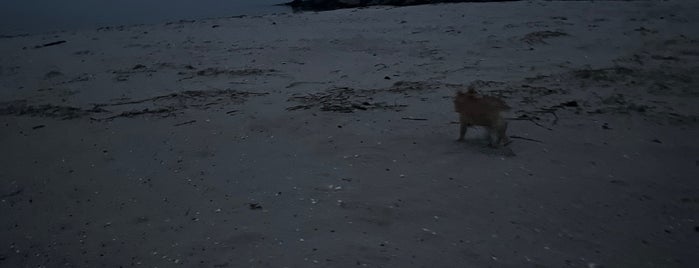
pixel 477 110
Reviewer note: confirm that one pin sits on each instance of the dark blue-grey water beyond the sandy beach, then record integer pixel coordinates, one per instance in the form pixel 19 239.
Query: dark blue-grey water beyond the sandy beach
pixel 40 16
